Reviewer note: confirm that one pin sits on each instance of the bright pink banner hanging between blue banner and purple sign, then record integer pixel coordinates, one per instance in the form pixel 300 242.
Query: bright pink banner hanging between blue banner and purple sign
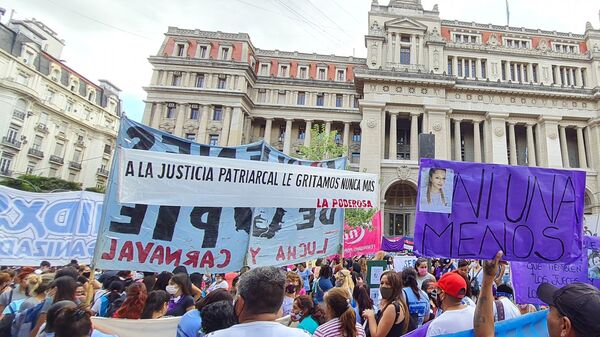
pixel 362 241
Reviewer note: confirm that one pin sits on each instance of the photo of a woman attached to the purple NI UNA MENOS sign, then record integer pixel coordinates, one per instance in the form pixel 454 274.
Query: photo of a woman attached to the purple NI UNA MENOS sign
pixel 436 190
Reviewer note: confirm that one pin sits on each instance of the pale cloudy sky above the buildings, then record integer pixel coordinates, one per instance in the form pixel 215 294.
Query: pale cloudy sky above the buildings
pixel 112 39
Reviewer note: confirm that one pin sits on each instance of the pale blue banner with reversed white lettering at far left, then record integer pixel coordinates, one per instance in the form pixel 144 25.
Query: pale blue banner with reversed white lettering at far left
pixel 56 227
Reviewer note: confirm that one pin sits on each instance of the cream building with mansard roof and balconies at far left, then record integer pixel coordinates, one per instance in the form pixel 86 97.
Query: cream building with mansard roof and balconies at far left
pixel 54 121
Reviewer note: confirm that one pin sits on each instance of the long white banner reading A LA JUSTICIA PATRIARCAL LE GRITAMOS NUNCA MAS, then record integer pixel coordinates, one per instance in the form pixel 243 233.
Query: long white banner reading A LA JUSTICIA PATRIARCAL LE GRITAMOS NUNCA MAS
pixel 155 178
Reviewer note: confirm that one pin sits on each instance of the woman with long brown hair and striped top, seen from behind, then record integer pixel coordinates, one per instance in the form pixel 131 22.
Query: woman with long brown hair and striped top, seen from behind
pixel 342 319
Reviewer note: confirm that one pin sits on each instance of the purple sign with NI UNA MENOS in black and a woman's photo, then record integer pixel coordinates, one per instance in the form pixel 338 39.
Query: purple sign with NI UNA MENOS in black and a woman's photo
pixel 472 210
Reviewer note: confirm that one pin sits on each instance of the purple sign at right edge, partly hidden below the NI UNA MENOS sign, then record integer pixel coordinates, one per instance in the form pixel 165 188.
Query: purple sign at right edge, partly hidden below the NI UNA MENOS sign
pixel 527 276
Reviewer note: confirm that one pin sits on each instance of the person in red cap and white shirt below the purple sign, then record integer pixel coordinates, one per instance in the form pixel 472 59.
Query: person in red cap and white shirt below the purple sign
pixel 456 317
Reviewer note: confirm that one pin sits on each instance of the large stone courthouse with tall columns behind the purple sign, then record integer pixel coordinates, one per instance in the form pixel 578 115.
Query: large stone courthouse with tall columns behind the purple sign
pixel 489 93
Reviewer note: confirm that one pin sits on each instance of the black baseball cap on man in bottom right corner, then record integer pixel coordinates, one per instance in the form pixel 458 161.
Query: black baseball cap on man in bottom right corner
pixel 580 302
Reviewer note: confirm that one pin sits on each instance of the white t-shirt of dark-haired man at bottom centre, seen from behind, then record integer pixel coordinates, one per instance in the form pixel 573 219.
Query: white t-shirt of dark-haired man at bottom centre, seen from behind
pixel 261 328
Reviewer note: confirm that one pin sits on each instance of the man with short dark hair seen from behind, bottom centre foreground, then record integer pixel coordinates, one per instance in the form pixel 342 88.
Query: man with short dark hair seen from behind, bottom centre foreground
pixel 258 304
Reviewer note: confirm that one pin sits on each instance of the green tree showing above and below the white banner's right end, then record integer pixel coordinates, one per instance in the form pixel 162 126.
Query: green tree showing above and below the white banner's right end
pixel 322 147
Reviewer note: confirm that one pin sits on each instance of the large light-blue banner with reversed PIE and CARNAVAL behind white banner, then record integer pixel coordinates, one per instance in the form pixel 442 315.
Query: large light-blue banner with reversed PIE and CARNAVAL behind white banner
pixel 155 238
